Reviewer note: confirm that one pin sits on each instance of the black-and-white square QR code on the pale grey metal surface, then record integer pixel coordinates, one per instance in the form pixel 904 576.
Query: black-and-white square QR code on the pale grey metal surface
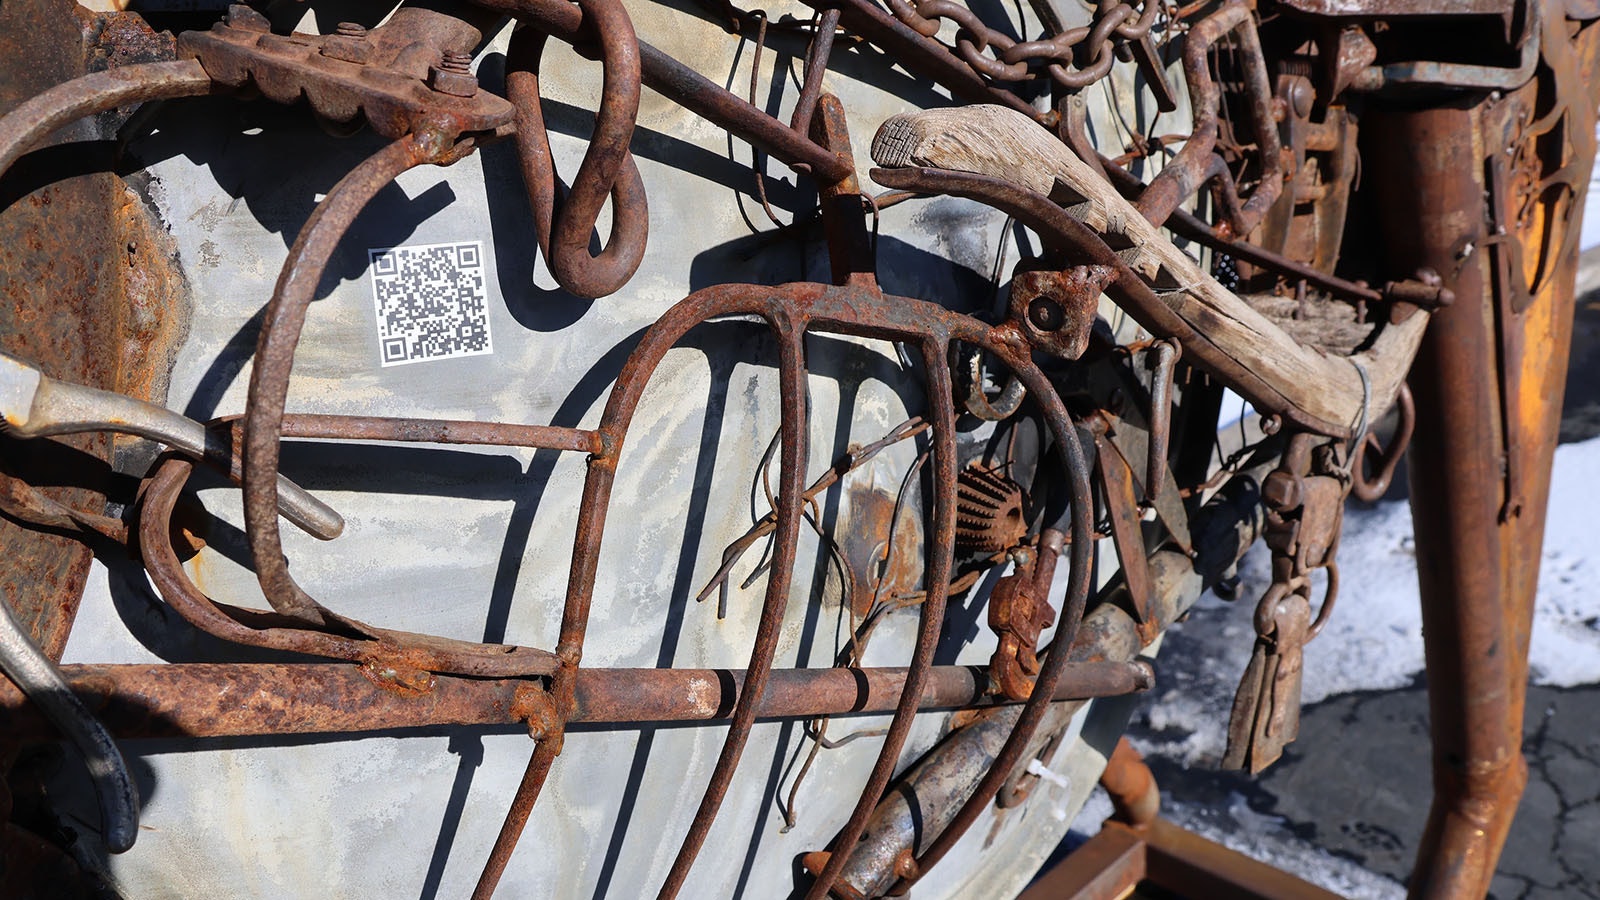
pixel 431 302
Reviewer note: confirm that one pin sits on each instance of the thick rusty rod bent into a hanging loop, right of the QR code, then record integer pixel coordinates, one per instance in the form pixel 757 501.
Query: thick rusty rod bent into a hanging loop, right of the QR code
pixel 609 169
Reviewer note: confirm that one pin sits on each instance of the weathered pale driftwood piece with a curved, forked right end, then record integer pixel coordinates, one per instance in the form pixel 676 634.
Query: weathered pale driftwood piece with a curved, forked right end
pixel 1001 143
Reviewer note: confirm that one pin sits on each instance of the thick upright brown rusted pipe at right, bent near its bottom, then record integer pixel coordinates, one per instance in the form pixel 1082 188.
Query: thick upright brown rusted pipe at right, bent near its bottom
pixel 1433 172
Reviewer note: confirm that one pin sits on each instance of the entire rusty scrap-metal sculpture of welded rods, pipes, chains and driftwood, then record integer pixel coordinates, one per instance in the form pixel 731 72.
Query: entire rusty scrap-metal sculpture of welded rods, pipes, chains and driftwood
pixel 1476 307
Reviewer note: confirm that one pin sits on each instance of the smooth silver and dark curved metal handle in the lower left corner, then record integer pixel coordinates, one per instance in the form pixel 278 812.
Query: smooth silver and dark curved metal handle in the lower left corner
pixel 39 680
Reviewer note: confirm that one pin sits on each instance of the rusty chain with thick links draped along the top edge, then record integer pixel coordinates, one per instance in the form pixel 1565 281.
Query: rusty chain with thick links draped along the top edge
pixel 1074 58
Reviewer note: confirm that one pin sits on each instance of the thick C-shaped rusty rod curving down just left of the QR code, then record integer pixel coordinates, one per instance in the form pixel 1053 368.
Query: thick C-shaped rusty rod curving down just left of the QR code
pixel 270 379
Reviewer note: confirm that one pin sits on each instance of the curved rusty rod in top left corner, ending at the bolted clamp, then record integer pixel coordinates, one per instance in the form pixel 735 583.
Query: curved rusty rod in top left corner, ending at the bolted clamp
pixel 34 119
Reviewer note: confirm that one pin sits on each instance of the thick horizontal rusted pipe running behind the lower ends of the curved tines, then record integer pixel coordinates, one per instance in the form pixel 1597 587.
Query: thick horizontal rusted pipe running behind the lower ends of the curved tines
pixel 212 701
